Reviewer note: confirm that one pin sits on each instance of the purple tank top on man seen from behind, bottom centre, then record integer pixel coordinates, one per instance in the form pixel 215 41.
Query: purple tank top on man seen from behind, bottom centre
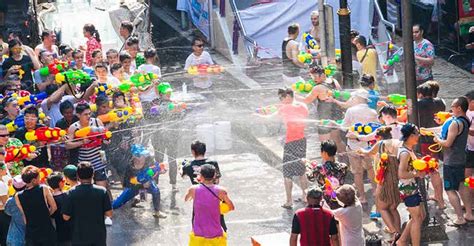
pixel 206 212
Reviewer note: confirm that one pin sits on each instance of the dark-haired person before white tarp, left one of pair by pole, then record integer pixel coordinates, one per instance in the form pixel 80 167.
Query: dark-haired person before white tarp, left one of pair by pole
pixel 290 51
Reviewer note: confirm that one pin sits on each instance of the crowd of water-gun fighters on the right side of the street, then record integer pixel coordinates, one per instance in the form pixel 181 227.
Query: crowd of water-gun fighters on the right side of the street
pixel 369 133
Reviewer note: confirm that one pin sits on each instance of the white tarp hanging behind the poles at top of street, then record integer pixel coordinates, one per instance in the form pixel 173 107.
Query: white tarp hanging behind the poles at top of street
pixel 267 23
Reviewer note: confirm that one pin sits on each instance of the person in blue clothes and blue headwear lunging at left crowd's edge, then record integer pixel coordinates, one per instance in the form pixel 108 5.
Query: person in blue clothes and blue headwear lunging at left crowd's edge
pixel 135 180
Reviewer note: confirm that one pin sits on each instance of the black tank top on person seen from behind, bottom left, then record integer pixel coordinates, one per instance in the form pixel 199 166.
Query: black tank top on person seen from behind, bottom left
pixel 39 226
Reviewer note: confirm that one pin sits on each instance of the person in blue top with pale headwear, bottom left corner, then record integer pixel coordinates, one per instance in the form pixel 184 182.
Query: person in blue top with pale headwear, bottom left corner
pixel 16 231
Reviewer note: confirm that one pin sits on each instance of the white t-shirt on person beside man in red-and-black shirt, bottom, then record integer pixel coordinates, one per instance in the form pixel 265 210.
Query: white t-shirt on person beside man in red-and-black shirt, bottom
pixel 350 219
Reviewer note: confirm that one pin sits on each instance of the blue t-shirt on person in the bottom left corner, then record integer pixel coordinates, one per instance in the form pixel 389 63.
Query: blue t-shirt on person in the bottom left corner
pixel 16 231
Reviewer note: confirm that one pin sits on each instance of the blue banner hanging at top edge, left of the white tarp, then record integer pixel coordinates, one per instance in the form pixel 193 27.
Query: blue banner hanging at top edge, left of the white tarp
pixel 198 10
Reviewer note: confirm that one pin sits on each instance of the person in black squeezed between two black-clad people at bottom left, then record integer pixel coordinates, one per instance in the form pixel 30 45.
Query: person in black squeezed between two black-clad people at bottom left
pixel 63 228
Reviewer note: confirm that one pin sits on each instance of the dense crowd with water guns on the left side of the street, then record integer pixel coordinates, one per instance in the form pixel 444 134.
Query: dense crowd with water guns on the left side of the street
pixel 65 141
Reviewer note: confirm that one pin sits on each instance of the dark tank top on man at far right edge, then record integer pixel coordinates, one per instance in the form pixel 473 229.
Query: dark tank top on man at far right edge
pixel 455 155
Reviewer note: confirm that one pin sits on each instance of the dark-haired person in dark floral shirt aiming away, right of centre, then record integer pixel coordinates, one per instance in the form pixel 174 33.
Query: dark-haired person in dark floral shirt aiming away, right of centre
pixel 330 169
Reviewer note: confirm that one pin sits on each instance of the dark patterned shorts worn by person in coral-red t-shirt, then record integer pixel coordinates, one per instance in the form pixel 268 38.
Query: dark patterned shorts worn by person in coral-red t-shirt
pixel 293 152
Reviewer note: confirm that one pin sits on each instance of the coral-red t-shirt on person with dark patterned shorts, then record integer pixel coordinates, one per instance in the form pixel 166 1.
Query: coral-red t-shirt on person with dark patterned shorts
pixel 294 116
